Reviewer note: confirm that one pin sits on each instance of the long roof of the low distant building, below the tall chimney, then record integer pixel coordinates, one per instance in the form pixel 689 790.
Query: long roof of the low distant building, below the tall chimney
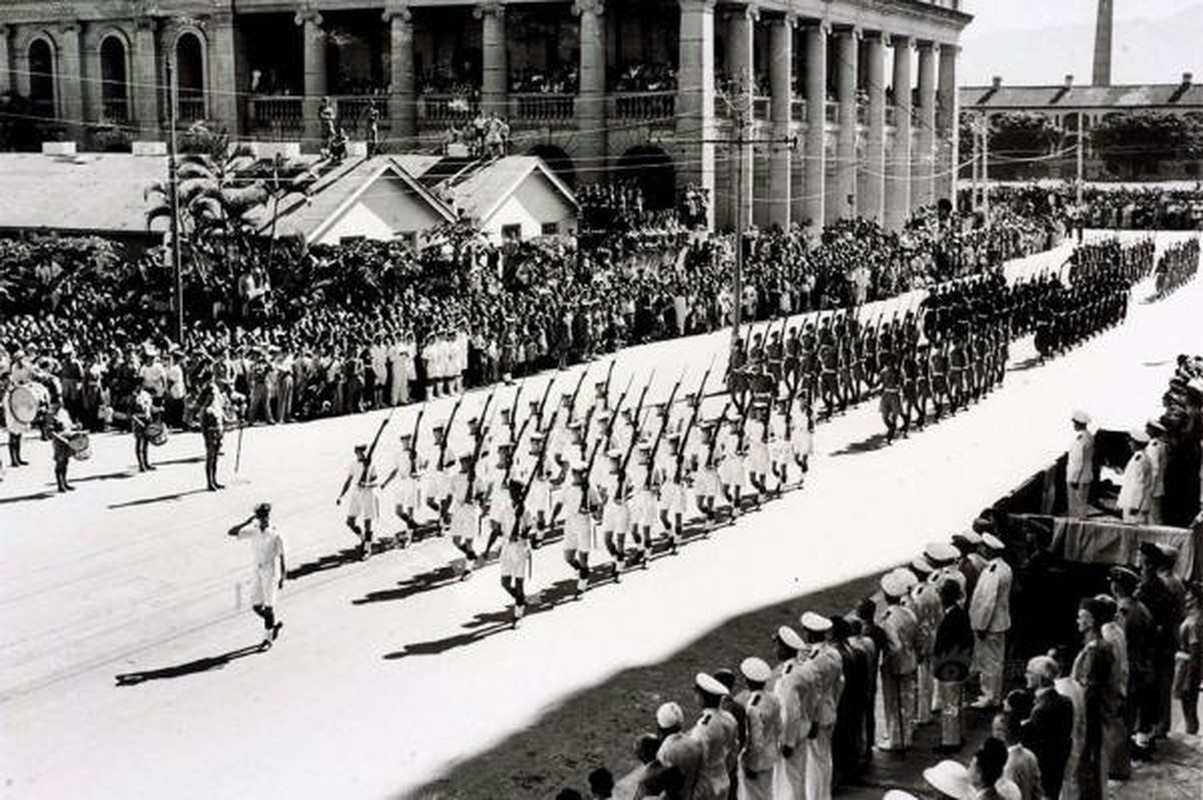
pixel 1171 96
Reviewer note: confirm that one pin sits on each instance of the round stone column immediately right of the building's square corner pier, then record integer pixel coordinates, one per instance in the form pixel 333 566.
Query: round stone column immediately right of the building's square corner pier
pixel 740 64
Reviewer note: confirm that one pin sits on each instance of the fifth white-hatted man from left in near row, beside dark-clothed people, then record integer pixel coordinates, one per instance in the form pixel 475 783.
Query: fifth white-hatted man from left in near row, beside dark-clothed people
pixel 828 669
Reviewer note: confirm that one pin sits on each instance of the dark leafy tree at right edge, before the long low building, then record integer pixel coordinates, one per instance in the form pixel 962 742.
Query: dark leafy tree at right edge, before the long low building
pixel 1134 143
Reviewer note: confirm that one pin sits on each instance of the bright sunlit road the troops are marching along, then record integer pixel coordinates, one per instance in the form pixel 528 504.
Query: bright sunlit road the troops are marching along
pixel 128 663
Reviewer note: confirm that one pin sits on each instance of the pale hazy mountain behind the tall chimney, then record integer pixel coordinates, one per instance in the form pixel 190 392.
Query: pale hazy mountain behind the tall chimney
pixel 1147 51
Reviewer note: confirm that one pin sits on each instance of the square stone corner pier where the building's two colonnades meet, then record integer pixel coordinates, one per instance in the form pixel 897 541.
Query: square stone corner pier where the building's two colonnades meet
pixel 696 99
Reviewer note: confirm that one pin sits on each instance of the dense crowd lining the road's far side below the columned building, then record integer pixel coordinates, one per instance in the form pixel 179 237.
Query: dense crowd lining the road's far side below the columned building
pixel 333 330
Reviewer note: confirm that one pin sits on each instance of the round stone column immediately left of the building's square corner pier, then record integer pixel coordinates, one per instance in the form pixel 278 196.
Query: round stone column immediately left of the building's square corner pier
pixel 591 111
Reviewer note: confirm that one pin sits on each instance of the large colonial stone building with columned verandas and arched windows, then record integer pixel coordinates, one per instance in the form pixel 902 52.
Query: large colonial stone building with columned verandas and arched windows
pixel 846 106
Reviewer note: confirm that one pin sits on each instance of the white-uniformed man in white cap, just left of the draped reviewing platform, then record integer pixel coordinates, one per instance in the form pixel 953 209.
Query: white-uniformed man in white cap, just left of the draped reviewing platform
pixel 991 619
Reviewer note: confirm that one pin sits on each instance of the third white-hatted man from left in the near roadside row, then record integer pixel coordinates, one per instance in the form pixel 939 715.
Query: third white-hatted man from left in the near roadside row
pixel 762 732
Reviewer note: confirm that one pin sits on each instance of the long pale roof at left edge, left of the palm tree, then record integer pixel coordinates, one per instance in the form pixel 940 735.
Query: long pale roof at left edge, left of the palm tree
pixel 91 192
